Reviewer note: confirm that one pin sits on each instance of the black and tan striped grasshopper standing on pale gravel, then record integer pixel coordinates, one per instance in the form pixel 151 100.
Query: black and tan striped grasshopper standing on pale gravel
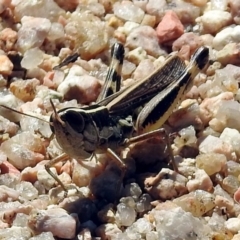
pixel 81 132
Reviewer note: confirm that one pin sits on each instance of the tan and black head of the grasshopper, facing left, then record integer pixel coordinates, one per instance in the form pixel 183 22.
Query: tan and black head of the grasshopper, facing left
pixel 75 133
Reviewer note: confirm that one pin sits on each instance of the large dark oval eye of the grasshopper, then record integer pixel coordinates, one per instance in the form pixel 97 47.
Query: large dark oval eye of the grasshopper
pixel 75 120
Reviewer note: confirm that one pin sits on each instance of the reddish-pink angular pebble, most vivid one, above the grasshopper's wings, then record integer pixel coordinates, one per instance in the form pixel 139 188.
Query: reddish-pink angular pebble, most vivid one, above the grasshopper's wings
pixel 170 28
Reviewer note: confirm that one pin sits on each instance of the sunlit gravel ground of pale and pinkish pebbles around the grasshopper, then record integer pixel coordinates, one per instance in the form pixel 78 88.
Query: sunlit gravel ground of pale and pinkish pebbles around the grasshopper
pixel 149 201
